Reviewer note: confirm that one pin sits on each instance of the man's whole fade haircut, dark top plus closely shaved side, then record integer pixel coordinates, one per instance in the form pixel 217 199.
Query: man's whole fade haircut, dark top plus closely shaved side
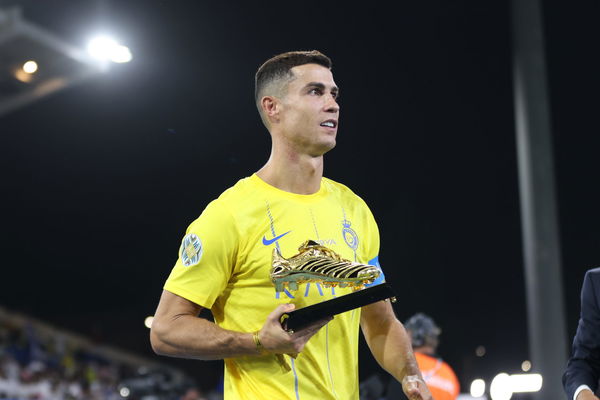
pixel 273 76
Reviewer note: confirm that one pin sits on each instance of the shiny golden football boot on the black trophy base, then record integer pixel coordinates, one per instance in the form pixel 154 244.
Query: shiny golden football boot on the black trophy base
pixel 316 263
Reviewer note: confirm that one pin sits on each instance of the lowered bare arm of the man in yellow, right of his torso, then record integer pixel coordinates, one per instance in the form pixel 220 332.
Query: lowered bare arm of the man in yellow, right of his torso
pixel 392 348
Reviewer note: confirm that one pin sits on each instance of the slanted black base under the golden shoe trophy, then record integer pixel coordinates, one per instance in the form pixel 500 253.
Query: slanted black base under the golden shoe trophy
pixel 297 319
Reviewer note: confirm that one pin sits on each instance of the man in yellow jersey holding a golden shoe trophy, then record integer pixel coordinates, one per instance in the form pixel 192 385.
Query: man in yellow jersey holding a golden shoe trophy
pixel 225 260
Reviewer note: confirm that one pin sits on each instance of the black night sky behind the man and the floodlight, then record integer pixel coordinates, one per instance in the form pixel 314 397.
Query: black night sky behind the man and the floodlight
pixel 101 180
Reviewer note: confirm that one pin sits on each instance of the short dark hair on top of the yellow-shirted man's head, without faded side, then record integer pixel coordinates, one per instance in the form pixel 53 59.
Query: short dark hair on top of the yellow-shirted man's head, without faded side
pixel 279 66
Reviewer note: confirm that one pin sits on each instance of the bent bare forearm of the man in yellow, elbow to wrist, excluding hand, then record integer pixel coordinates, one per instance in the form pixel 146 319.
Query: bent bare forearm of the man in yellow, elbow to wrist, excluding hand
pixel 188 336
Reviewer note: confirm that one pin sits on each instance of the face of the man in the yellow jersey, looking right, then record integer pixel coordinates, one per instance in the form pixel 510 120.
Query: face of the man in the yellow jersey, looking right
pixel 309 111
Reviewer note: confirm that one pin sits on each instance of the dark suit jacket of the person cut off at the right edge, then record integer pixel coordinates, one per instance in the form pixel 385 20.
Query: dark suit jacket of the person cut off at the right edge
pixel 583 367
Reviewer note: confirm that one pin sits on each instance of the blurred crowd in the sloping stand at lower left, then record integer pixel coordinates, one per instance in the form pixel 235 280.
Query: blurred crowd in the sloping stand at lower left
pixel 41 363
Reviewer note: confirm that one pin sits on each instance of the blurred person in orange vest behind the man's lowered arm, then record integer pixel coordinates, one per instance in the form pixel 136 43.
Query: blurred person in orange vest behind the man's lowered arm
pixel 438 375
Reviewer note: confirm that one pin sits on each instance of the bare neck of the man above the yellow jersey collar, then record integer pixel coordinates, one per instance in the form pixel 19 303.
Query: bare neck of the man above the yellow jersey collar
pixel 292 172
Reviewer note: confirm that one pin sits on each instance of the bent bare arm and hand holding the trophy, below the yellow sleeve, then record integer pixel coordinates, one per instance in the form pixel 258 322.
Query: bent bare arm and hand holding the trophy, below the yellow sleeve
pixel 177 331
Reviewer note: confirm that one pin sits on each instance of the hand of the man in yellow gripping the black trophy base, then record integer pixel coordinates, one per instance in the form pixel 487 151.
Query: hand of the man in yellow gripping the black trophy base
pixel 276 340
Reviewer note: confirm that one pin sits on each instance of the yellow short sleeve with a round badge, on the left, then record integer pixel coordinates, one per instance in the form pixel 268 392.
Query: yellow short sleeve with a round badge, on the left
pixel 206 257
